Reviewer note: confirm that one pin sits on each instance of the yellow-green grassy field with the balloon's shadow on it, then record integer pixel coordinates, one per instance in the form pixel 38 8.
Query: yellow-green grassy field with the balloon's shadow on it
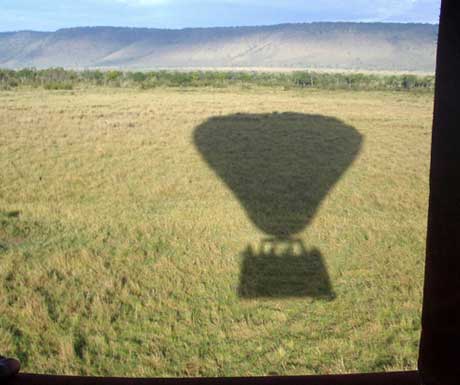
pixel 202 232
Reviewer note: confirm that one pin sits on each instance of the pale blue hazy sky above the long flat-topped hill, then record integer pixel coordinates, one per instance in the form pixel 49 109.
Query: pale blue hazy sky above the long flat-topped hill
pixel 50 15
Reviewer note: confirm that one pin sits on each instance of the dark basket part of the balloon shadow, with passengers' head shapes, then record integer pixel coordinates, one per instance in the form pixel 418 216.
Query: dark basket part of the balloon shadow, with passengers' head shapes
pixel 284 268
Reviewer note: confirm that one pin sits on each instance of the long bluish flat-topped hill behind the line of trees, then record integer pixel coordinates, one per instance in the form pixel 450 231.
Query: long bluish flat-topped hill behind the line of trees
pixel 355 46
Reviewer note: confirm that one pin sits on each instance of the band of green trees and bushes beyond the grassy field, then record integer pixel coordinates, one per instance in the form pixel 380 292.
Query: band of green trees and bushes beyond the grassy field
pixel 61 79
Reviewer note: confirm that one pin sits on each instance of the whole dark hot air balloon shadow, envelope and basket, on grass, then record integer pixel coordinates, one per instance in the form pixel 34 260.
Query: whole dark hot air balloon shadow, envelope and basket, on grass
pixel 280 166
